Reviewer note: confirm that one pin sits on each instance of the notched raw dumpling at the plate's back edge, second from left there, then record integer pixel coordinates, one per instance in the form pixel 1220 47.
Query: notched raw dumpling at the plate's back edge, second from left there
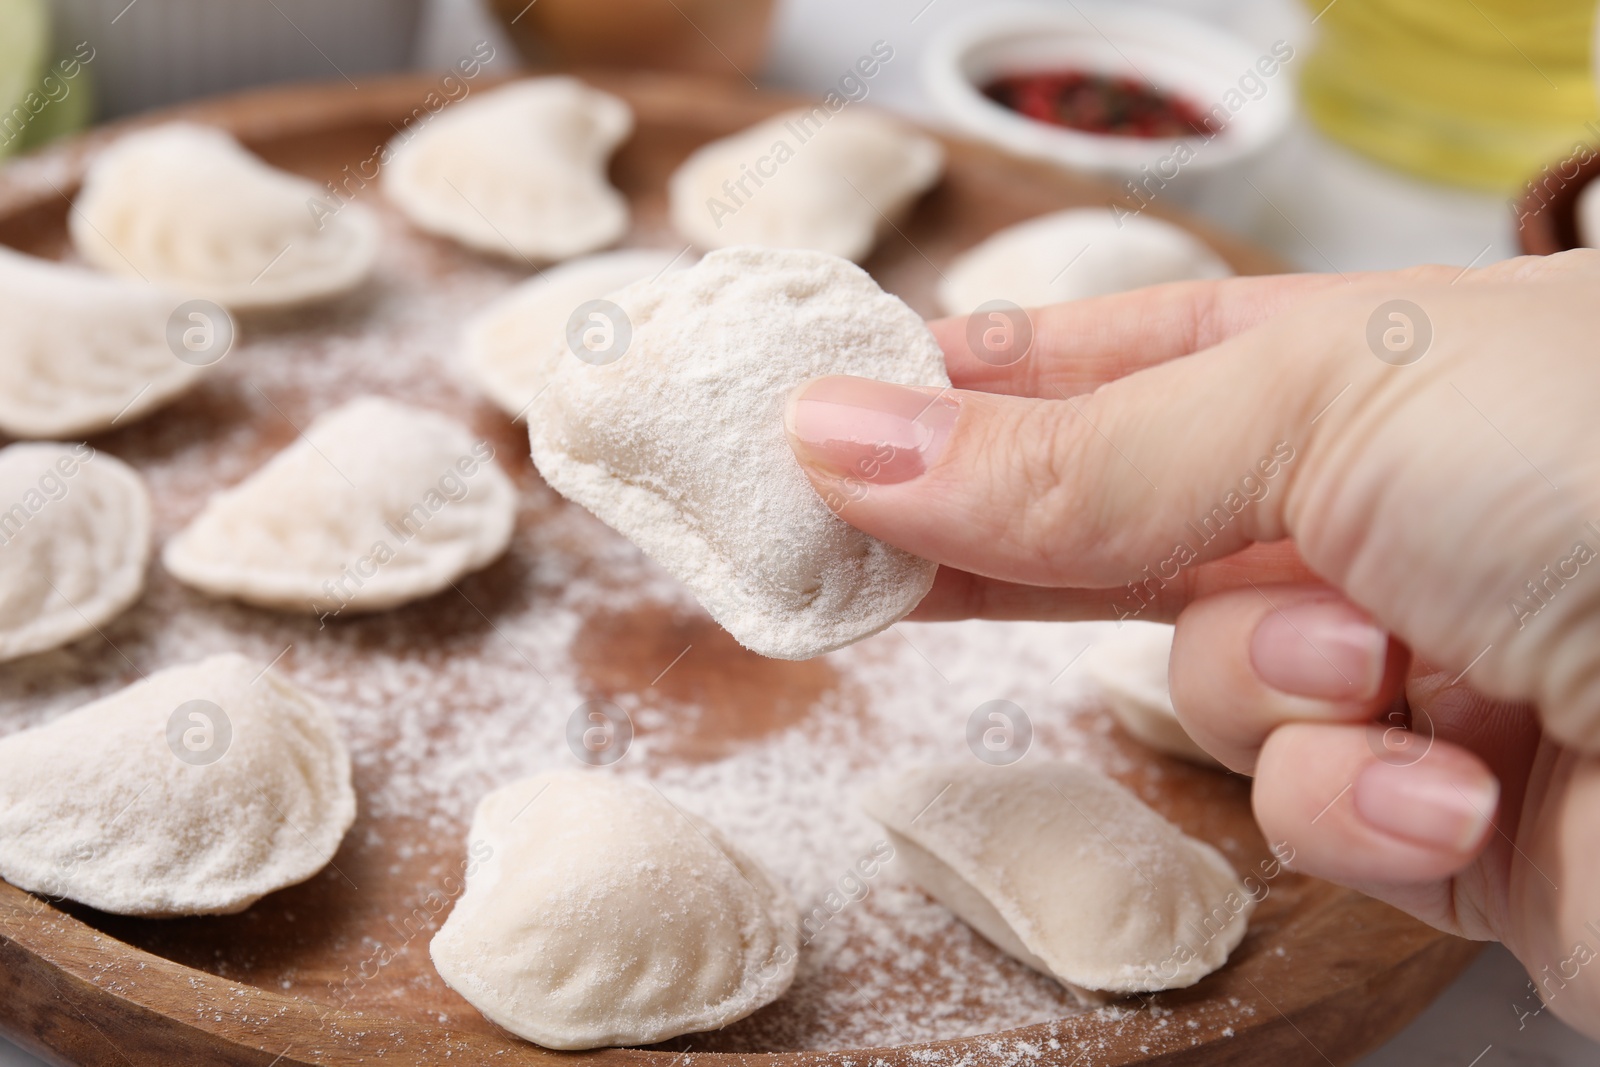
pixel 519 172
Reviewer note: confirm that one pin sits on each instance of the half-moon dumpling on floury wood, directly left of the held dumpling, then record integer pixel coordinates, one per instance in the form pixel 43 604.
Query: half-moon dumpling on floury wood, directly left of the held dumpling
pixel 375 506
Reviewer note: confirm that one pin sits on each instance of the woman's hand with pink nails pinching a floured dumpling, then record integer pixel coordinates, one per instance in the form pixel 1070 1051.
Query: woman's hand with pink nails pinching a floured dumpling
pixel 1372 506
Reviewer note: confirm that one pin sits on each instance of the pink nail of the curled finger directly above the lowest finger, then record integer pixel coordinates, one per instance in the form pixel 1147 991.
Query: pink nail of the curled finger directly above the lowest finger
pixel 1327 650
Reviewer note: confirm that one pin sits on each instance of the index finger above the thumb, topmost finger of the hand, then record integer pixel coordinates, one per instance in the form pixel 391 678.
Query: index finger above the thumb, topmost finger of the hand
pixel 1079 346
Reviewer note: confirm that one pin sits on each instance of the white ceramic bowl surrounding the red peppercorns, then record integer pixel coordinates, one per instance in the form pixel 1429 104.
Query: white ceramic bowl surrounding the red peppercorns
pixel 1177 54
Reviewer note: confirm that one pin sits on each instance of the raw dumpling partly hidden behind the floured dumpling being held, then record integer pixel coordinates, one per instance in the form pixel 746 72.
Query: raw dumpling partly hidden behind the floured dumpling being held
pixel 514 345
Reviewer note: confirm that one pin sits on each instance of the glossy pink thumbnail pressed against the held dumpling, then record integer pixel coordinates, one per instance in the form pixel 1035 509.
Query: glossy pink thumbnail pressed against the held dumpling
pixel 868 431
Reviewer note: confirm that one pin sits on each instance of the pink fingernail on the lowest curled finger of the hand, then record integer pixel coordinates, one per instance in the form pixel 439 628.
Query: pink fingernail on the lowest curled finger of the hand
pixel 1428 804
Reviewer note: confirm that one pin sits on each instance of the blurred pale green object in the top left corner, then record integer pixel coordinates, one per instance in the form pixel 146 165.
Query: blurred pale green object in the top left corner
pixel 38 103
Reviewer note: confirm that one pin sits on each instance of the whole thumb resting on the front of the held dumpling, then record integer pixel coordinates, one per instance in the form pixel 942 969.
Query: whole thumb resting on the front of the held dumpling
pixel 1154 473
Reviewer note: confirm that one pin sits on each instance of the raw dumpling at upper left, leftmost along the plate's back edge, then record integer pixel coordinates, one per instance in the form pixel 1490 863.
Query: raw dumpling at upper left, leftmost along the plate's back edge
pixel 188 209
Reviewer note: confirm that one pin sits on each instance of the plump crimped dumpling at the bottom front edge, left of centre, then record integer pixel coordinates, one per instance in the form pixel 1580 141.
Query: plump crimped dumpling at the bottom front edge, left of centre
pixel 602 914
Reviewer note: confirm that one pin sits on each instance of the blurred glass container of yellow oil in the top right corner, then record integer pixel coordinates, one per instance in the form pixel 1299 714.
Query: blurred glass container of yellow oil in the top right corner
pixel 1476 94
